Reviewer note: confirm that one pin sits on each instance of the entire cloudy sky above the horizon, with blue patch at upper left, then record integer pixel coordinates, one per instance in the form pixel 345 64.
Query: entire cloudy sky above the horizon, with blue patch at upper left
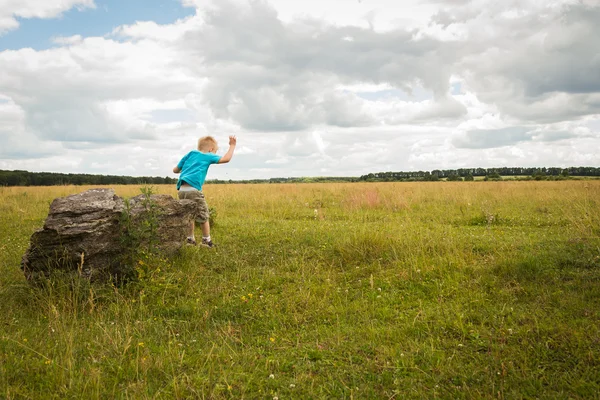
pixel 310 88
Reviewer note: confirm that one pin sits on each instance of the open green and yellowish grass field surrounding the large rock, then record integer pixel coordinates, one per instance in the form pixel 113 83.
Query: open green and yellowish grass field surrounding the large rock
pixel 338 291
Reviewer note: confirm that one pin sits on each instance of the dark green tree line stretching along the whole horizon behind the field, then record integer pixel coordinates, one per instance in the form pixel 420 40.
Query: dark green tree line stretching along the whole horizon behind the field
pixel 26 178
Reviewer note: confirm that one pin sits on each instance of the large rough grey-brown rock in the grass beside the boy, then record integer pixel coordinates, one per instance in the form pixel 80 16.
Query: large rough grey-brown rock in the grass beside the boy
pixel 93 233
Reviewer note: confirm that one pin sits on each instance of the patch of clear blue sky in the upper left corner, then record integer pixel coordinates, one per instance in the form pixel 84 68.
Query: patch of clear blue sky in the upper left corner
pixel 108 14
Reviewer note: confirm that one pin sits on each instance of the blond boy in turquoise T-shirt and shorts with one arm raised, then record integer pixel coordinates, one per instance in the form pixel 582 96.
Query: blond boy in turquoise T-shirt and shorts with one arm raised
pixel 193 167
